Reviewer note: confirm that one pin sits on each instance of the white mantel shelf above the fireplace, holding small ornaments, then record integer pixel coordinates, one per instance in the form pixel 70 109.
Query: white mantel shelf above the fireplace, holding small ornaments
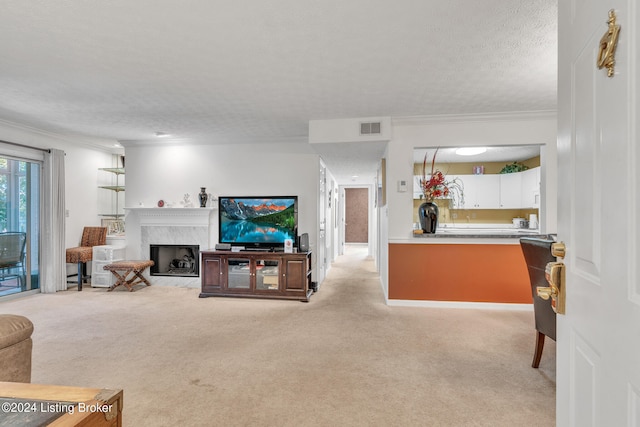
pixel 172 216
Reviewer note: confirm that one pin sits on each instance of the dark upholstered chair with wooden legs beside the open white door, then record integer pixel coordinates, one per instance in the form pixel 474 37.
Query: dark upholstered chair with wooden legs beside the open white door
pixel 537 253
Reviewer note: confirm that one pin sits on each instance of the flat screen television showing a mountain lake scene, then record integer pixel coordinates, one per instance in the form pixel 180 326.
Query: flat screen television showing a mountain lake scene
pixel 257 222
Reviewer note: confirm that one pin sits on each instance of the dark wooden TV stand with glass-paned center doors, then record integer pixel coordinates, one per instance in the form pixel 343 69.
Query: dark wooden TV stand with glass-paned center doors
pixel 256 274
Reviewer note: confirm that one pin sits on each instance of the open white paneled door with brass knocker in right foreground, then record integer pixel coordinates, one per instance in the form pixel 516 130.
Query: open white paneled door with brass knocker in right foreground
pixel 598 340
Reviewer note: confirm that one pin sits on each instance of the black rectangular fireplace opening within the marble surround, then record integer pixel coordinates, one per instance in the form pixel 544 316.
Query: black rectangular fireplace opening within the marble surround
pixel 175 260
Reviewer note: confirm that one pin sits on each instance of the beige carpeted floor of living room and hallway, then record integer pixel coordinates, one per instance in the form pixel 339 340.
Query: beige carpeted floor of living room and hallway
pixel 343 359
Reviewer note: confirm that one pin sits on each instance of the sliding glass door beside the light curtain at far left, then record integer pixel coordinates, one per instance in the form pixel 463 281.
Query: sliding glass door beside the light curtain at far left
pixel 19 225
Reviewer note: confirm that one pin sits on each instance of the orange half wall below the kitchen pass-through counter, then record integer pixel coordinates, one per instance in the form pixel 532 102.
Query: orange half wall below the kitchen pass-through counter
pixel 458 272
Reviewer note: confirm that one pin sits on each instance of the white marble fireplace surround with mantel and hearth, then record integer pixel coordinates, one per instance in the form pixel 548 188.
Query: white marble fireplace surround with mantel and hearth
pixel 171 226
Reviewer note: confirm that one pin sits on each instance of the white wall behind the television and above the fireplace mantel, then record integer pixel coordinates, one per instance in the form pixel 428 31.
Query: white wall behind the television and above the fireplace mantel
pixel 168 171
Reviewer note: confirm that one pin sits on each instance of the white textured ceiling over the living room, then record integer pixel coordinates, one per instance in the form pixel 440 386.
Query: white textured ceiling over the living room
pixel 229 71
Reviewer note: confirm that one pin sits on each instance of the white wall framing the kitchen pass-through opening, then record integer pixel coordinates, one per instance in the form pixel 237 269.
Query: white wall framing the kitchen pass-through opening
pixel 464 131
